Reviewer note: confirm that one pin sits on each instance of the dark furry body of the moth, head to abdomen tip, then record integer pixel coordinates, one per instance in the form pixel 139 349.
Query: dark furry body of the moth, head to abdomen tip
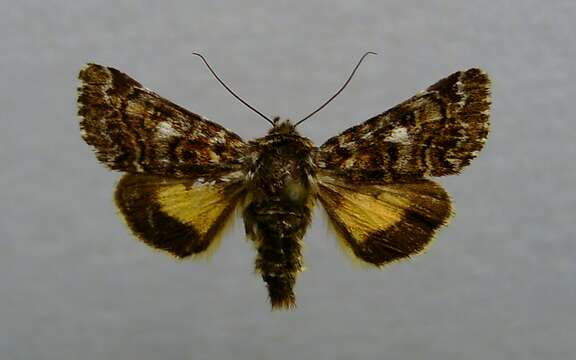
pixel 280 196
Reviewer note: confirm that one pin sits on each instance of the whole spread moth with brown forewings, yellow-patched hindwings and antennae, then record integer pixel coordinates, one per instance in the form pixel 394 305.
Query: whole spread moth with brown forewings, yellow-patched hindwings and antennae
pixel 185 175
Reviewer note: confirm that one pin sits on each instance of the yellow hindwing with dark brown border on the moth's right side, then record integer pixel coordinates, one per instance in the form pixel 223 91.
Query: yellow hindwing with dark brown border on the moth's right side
pixel 381 223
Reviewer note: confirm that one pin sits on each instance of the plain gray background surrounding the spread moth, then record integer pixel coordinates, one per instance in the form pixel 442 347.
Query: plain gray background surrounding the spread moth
pixel 497 284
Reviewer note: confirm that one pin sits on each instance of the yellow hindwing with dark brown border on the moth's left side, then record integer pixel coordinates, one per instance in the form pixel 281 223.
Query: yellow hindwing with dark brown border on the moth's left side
pixel 183 216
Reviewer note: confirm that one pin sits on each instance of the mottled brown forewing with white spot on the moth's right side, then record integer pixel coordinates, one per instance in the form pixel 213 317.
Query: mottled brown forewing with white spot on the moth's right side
pixel 435 133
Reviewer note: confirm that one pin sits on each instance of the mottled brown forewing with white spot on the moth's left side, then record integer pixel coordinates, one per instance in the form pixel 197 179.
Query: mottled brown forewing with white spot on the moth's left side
pixel 132 129
